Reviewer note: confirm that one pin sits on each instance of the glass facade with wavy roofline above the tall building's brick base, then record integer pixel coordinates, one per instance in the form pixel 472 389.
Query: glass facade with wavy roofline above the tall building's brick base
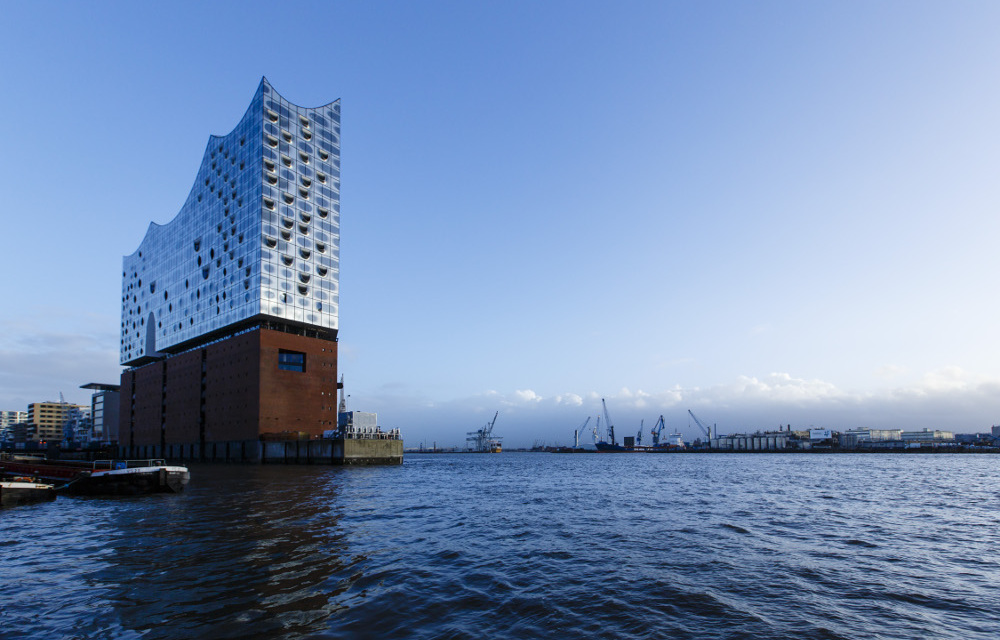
pixel 259 234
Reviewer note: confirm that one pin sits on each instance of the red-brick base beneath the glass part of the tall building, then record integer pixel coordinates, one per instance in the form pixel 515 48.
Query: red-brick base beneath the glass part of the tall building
pixel 218 402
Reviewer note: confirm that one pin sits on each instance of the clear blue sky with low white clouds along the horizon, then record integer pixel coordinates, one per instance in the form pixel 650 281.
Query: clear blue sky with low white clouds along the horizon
pixel 769 212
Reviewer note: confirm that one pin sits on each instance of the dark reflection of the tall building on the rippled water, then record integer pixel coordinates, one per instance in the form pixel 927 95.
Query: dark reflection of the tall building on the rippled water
pixel 250 552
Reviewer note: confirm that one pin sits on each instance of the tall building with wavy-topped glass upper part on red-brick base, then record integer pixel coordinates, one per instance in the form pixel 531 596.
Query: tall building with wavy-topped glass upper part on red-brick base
pixel 230 311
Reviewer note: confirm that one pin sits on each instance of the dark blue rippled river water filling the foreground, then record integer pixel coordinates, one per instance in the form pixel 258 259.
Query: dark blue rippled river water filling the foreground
pixel 522 545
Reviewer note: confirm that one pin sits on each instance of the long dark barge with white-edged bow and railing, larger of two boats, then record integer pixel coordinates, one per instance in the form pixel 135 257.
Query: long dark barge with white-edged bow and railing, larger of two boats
pixel 101 477
